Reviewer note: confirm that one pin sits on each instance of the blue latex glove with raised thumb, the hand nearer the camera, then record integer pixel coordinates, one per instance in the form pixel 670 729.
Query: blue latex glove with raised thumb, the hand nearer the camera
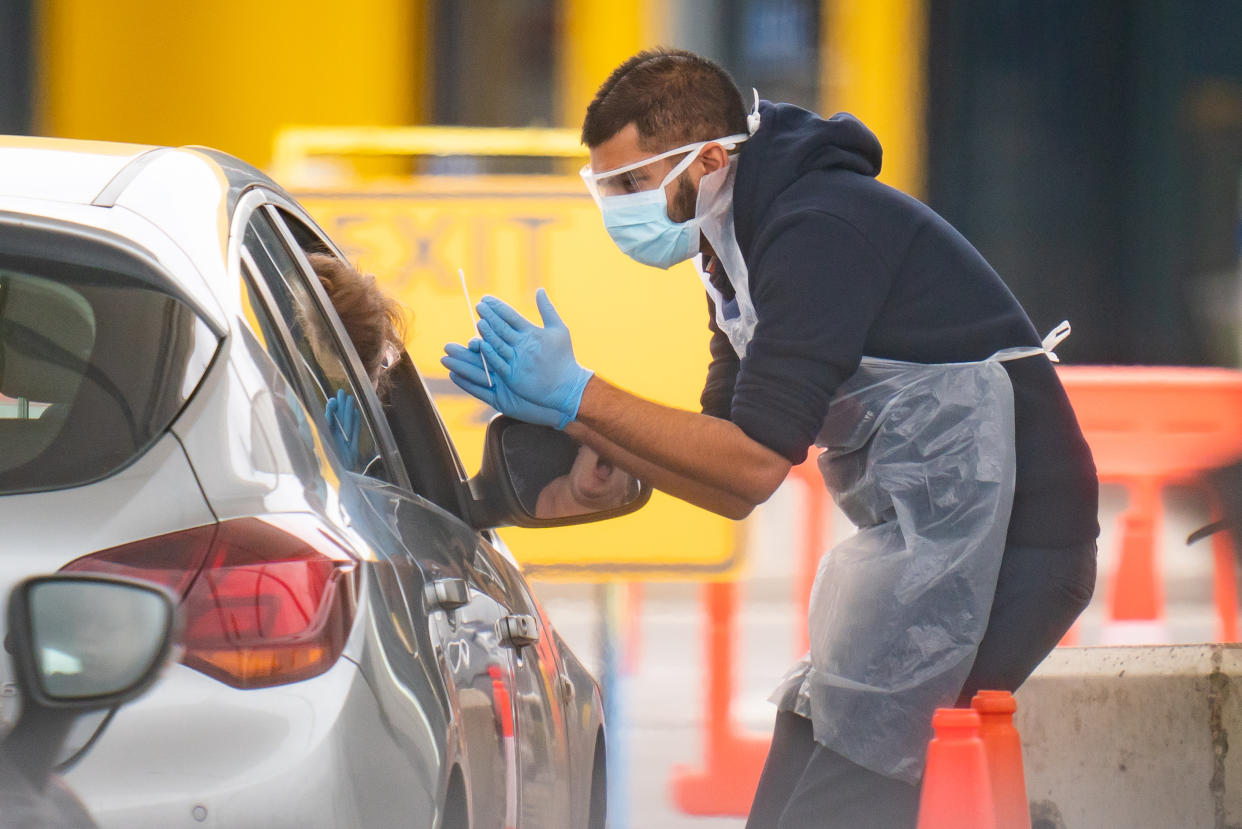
pixel 537 364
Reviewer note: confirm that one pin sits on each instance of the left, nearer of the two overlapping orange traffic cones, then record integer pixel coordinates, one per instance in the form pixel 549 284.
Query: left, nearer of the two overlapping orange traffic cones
pixel 957 794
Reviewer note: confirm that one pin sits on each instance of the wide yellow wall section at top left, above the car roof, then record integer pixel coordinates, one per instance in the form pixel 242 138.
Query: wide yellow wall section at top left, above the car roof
pixel 228 73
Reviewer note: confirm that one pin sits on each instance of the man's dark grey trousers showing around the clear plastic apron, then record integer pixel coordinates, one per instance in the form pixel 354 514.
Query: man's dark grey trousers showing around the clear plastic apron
pixel 1040 592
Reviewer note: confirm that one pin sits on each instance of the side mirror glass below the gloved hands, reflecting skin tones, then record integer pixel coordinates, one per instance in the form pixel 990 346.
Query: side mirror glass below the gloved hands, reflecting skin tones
pixel 536 477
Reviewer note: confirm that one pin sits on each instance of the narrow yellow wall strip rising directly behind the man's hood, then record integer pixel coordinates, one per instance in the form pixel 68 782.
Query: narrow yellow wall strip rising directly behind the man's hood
pixel 873 64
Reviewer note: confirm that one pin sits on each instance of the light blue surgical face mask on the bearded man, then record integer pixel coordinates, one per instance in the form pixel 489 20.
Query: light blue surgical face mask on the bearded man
pixel 640 226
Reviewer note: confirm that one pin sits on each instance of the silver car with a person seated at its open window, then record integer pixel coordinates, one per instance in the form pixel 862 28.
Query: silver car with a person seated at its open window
pixel 360 649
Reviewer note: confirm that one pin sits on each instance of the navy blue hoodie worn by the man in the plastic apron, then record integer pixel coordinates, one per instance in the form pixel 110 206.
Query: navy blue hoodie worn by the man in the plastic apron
pixel 843 267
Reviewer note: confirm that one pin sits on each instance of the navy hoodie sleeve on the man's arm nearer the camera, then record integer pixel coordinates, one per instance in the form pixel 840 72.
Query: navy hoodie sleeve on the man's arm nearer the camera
pixel 818 286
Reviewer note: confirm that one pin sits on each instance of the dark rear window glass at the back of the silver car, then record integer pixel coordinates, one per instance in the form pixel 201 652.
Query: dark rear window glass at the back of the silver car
pixel 99 352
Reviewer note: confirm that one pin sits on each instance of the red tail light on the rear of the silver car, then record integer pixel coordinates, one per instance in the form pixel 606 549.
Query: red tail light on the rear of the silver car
pixel 266 601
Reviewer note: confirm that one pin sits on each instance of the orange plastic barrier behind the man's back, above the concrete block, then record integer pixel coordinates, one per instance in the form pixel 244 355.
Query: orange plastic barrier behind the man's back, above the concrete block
pixel 1149 427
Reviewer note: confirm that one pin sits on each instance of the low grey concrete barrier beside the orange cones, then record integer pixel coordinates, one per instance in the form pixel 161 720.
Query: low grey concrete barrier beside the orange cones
pixel 1136 738
